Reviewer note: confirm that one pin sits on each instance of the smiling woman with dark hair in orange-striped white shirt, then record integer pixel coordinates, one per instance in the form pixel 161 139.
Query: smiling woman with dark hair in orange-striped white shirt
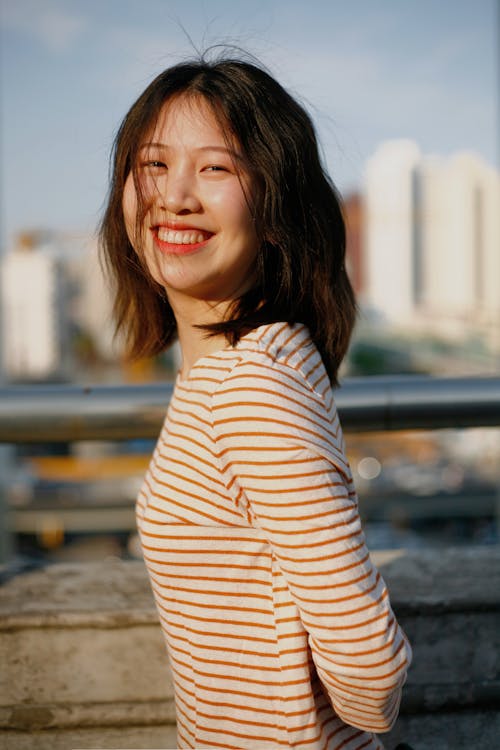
pixel 222 230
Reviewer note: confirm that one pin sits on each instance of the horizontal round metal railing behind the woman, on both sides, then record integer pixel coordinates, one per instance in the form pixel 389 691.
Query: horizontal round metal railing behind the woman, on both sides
pixel 59 413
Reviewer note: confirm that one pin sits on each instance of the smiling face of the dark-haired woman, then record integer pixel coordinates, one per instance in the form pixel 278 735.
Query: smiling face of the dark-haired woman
pixel 197 235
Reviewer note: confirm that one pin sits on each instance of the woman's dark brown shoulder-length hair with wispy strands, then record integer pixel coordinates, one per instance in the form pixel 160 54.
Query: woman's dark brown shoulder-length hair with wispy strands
pixel 300 274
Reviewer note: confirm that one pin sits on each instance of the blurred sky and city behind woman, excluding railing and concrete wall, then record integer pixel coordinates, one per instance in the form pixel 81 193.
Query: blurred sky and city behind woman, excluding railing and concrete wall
pixel 404 96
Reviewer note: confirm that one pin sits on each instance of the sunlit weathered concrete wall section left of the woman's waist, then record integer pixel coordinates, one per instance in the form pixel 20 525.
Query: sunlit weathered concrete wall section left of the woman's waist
pixel 81 641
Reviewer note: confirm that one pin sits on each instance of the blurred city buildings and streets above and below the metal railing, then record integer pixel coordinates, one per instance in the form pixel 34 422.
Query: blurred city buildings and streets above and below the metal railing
pixel 424 258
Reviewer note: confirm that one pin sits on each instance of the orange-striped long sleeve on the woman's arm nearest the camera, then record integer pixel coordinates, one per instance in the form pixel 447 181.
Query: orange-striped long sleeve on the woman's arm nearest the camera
pixel 280 449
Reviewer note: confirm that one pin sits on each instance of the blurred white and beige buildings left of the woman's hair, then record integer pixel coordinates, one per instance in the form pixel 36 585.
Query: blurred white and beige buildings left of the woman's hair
pixel 55 307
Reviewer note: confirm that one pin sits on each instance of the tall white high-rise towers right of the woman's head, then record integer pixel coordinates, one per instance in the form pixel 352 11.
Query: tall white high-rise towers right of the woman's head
pixel 432 236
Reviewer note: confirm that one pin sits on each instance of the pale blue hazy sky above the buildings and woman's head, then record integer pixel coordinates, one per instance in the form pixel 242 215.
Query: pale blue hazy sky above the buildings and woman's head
pixel 366 70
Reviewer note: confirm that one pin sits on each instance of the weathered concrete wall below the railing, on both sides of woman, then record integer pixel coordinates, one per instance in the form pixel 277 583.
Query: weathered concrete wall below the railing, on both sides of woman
pixel 83 664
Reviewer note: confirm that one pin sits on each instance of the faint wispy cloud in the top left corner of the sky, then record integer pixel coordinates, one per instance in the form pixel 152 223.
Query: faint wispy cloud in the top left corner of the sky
pixel 54 26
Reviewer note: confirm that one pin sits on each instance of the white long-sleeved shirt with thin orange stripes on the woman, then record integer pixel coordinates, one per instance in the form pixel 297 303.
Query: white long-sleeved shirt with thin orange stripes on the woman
pixel 279 629
